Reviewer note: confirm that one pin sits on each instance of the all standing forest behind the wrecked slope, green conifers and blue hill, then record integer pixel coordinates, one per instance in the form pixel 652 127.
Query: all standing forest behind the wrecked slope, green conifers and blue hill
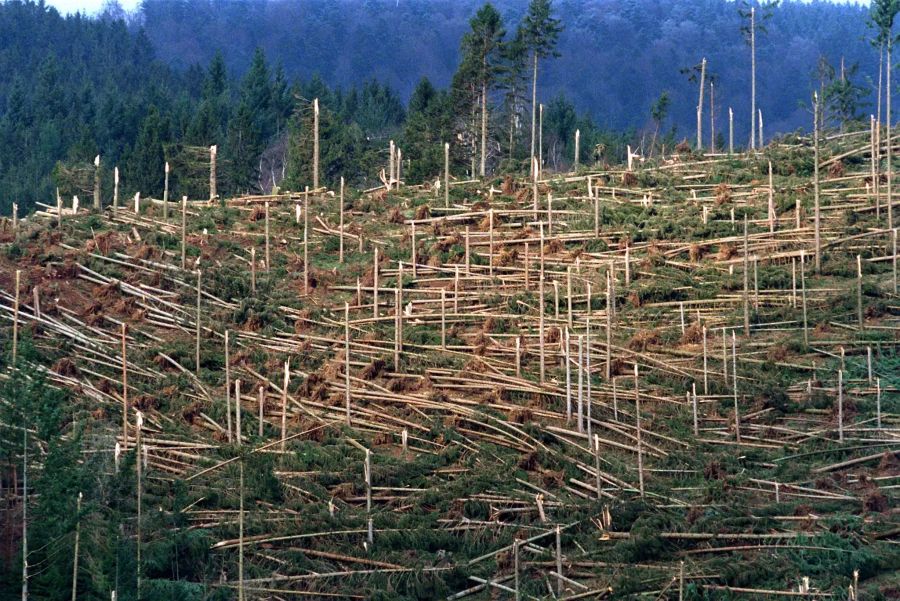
pixel 179 75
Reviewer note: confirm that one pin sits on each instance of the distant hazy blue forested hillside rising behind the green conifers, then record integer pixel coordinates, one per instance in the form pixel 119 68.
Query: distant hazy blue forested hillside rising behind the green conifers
pixel 616 56
